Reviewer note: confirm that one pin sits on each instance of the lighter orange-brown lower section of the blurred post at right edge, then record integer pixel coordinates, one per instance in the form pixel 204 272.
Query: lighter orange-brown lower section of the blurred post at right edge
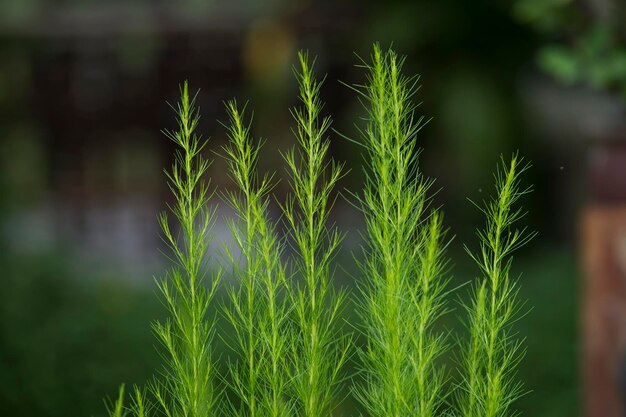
pixel 605 311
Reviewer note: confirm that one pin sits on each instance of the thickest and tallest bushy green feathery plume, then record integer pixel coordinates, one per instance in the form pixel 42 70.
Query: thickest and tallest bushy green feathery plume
pixel 403 262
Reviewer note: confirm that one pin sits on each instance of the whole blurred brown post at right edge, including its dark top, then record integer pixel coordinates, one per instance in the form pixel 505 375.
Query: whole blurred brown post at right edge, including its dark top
pixel 604 297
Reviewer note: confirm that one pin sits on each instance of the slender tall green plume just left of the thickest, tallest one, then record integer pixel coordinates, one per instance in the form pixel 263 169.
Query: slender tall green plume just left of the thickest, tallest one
pixel 320 350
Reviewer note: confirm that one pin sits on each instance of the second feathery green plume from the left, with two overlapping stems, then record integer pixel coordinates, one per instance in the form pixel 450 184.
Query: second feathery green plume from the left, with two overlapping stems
pixel 257 309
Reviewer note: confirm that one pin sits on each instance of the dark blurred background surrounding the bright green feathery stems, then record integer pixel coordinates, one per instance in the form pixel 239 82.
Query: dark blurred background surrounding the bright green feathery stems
pixel 83 91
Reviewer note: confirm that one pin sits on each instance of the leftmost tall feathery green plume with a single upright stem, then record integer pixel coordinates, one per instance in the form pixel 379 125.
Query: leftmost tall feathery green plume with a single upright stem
pixel 187 386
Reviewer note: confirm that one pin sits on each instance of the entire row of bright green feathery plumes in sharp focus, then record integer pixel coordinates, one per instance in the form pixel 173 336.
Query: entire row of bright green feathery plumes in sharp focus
pixel 288 347
